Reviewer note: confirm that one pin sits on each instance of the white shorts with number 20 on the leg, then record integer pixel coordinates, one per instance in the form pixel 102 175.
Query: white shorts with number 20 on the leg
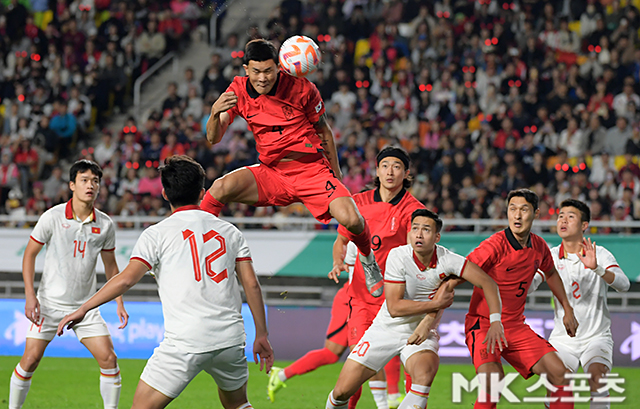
pixel 380 343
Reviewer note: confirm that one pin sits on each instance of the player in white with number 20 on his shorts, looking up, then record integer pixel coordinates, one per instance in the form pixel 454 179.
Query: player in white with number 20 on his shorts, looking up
pixel 413 277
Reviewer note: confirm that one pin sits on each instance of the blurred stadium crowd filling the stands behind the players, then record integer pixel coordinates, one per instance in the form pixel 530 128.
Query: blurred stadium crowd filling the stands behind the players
pixel 486 95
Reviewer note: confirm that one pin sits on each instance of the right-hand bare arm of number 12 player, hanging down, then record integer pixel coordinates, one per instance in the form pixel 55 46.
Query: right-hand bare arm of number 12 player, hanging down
pixel 261 346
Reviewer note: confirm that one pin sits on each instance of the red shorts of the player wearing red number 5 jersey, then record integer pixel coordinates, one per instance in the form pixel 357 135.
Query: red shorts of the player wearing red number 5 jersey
pixel 524 351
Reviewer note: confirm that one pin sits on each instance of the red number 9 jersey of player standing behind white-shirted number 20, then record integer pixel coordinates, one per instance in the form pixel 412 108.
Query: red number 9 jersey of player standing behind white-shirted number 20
pixel 389 224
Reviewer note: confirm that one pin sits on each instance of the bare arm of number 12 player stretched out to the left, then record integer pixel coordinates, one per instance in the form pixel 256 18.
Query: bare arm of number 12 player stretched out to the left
pixel 112 289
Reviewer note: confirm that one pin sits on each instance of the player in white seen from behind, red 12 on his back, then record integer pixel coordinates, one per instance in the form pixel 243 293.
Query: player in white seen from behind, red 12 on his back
pixel 198 261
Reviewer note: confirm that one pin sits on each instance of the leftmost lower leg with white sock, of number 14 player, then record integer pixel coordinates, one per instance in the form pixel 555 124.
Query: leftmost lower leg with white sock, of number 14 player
pixel 22 373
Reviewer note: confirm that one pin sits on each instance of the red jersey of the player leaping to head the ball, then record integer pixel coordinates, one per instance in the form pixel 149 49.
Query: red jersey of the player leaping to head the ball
pixel 282 120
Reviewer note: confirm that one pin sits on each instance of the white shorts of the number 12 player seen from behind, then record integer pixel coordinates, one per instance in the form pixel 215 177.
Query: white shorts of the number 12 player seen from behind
pixel 169 370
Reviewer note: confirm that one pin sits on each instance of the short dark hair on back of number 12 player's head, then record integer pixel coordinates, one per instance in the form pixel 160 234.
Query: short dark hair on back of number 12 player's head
pixel 182 179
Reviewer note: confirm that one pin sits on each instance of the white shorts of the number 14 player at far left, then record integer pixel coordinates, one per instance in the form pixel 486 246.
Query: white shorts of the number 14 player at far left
pixel 92 325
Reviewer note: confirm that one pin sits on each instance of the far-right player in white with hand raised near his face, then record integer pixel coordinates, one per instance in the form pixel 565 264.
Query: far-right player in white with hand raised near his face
pixel 586 271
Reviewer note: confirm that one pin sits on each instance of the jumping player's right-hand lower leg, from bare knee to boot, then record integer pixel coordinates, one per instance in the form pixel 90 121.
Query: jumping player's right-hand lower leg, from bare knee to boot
pixel 346 213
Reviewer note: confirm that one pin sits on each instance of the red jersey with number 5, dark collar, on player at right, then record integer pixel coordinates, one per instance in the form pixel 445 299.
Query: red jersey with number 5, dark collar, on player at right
pixel 512 267
